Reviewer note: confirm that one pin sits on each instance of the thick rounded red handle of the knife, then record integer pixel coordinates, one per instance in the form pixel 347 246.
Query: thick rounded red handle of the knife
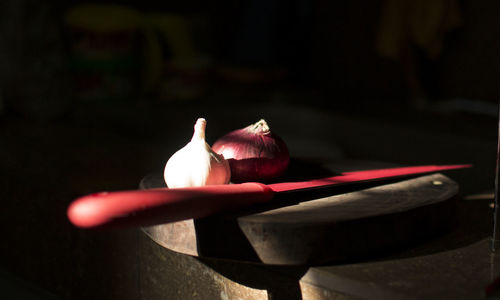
pixel 157 206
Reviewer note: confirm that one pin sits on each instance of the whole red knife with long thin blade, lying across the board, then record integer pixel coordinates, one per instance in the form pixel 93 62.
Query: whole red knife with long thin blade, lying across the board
pixel 134 208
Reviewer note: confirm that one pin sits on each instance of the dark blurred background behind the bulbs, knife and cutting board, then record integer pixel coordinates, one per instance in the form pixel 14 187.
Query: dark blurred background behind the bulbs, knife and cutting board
pixel 93 96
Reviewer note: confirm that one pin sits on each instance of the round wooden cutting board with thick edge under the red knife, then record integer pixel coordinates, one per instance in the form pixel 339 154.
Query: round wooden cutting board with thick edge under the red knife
pixel 311 228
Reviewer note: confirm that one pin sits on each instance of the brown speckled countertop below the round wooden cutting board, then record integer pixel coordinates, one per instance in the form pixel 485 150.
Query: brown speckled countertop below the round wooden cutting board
pixel 455 265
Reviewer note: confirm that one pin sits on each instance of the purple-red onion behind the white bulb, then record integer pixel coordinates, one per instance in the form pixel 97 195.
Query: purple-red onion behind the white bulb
pixel 254 153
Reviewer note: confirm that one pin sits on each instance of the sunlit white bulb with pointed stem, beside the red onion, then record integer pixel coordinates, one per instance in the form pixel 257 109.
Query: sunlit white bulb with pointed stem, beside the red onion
pixel 196 164
